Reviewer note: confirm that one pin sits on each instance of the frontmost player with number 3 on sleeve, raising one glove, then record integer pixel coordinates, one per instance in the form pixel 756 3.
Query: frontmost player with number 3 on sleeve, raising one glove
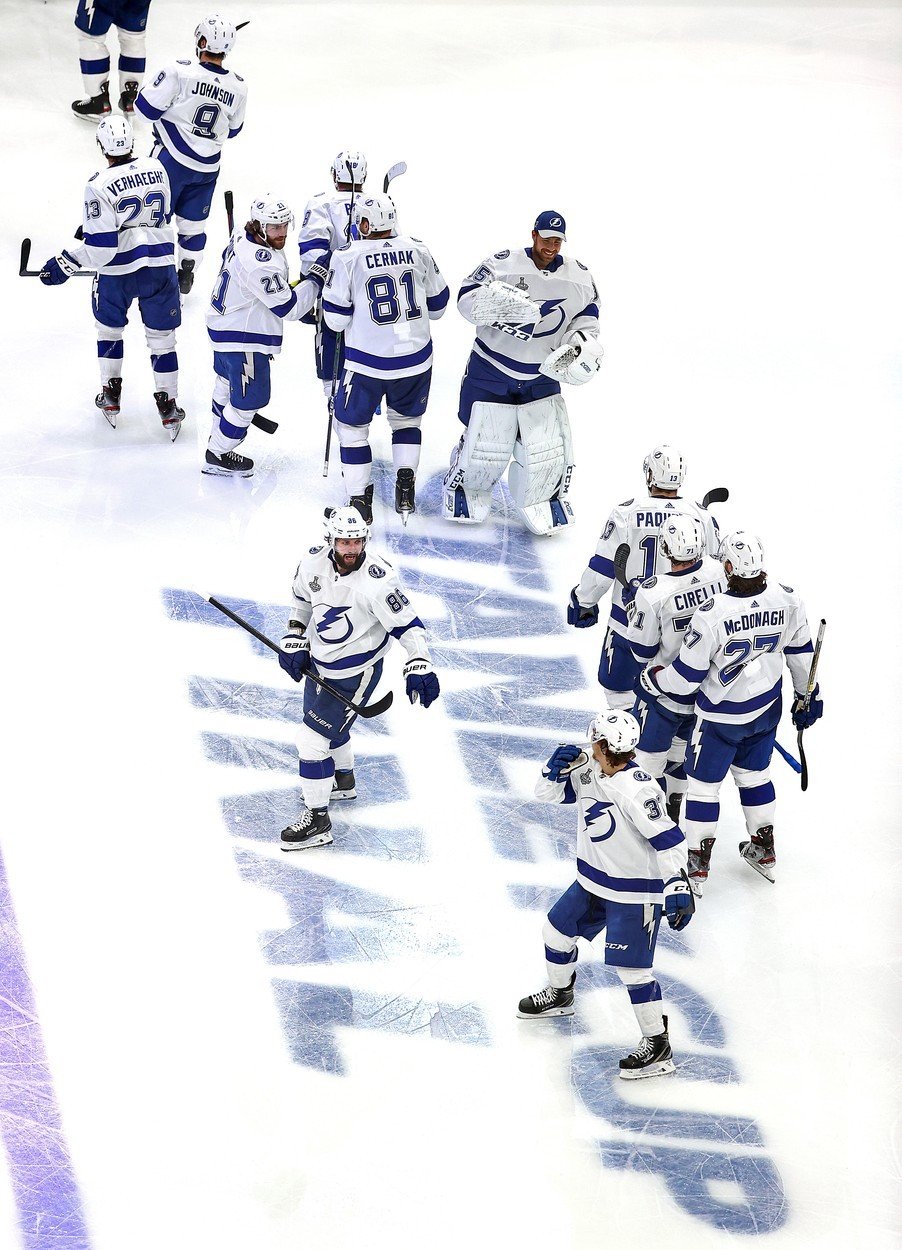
pixel 630 872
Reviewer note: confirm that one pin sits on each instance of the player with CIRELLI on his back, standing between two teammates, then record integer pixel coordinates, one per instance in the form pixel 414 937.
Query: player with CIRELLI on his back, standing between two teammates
pixel 659 618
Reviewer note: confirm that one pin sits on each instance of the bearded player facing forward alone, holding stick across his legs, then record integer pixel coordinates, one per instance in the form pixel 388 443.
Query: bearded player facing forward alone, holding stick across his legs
pixel 349 603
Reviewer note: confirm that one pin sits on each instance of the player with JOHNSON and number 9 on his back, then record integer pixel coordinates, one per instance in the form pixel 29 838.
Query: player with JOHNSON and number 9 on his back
pixel 196 107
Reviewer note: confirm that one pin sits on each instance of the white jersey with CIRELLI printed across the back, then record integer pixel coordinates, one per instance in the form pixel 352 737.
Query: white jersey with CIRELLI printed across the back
pixel 662 613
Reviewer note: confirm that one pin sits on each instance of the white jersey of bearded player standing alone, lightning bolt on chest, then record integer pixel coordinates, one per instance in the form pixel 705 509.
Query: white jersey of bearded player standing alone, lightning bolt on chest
pixel 352 618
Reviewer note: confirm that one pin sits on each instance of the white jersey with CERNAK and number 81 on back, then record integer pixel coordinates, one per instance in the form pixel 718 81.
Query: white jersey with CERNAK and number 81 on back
pixel 384 293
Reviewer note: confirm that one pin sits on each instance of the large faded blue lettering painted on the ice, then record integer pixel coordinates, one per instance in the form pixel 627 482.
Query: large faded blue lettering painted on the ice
pixel 508 703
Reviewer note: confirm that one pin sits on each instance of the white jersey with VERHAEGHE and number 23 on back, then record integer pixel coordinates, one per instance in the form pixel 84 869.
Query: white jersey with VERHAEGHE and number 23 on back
pixel 126 219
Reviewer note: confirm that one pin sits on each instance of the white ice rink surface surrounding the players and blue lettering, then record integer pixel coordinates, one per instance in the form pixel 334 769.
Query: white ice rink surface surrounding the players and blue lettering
pixel 731 177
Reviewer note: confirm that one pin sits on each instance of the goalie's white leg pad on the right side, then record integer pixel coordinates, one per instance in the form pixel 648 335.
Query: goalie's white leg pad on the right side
pixel 539 478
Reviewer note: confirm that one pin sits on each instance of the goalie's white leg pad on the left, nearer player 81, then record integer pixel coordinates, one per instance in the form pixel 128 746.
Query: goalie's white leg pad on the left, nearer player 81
pixel 479 461
